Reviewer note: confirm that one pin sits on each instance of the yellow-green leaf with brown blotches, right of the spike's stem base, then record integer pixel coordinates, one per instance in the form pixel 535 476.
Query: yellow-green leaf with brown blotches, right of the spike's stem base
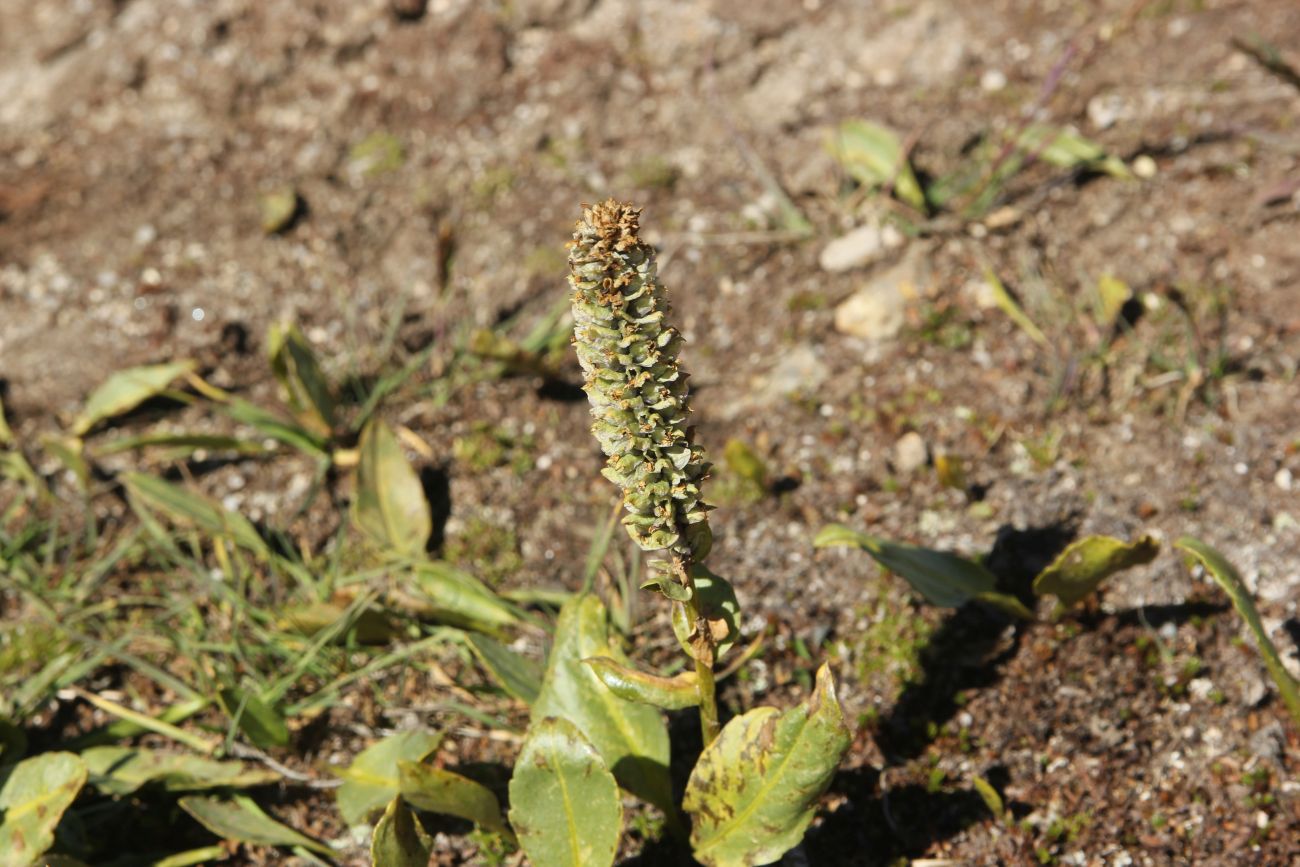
pixel 756 787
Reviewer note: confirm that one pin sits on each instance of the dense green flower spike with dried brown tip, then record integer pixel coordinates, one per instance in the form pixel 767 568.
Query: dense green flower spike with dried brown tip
pixel 639 396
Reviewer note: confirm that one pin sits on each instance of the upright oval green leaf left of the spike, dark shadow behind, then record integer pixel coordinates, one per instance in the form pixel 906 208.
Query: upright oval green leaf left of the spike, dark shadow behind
pixel 391 506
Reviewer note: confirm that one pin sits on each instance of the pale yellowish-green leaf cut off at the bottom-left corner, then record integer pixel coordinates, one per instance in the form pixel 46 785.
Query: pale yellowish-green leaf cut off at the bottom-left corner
pixel 34 794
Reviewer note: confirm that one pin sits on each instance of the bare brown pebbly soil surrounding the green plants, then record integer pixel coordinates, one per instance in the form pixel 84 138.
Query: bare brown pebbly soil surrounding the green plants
pixel 137 138
